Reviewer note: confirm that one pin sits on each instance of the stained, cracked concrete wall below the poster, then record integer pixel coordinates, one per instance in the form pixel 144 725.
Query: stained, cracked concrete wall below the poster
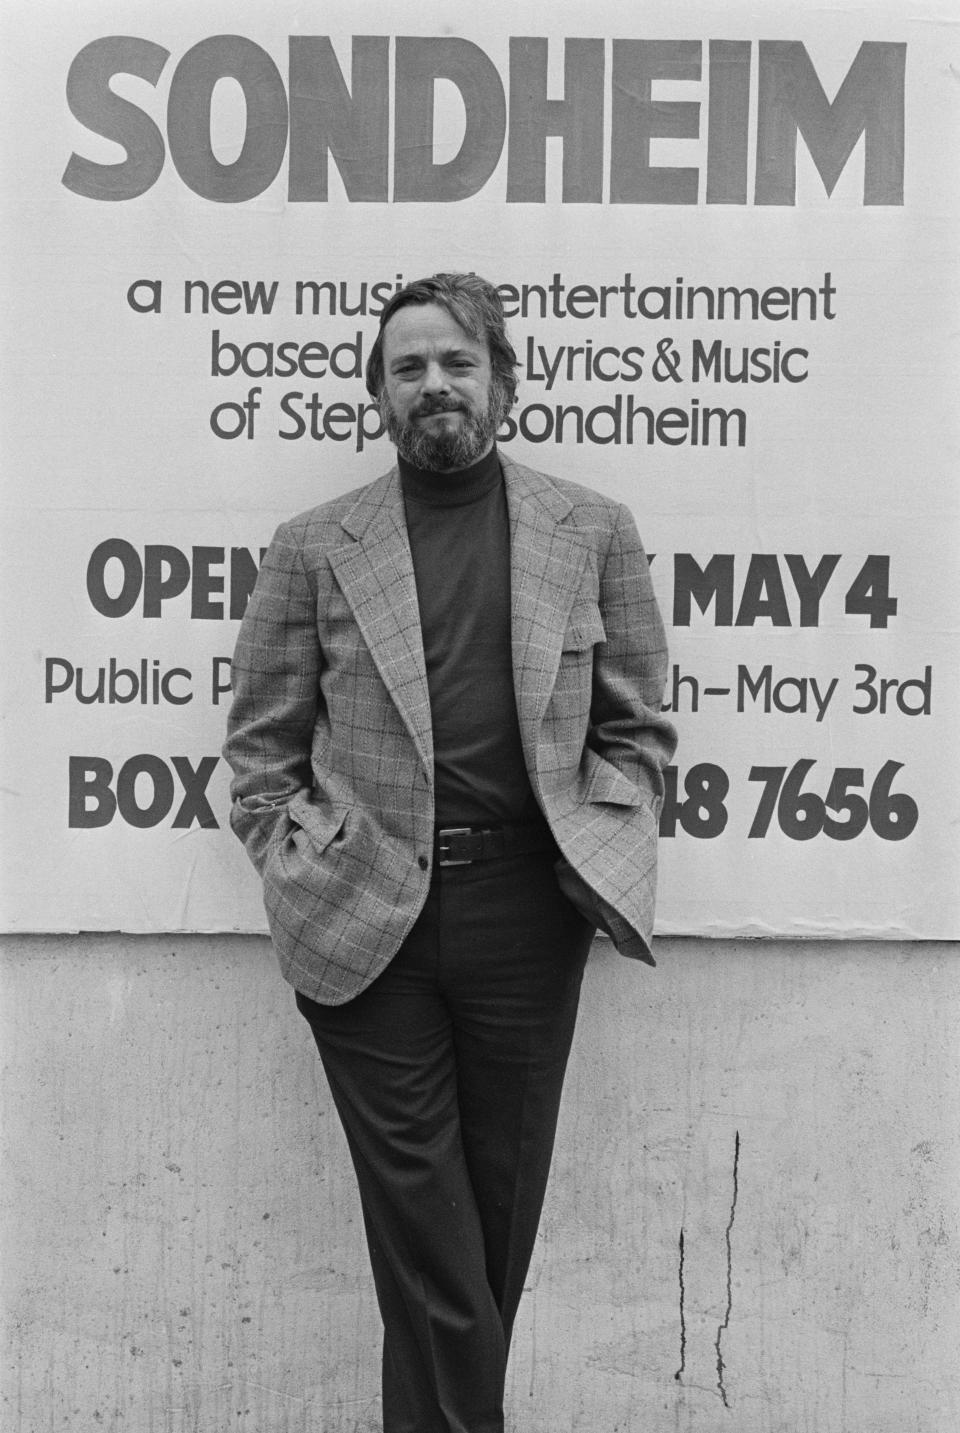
pixel 753 1222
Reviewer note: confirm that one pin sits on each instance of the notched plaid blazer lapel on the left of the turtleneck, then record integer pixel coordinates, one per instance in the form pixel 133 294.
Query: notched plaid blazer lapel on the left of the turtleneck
pixel 378 580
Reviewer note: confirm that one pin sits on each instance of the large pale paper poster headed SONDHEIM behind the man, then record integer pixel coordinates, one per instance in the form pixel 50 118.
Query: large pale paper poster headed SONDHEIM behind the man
pixel 726 237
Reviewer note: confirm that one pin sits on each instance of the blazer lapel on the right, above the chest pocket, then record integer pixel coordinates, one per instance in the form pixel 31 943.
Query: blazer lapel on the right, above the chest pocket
pixel 547 568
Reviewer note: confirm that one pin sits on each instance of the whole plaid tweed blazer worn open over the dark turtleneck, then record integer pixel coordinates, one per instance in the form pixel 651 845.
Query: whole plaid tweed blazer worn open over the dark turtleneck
pixel 330 734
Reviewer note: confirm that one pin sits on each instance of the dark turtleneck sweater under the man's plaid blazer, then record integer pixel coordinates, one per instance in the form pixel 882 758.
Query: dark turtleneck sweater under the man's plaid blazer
pixel 461 544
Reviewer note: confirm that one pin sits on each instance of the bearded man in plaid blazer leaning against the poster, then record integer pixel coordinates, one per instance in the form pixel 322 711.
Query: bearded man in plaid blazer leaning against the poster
pixel 448 749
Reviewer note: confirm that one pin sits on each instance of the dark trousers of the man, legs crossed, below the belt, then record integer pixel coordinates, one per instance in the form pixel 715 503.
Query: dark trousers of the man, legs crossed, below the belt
pixel 448 1074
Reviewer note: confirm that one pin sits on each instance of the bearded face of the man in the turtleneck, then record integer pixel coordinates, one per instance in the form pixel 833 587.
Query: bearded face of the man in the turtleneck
pixel 439 401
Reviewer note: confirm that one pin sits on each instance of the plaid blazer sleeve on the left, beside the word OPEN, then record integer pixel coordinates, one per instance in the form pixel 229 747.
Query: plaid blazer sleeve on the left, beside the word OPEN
pixel 276 681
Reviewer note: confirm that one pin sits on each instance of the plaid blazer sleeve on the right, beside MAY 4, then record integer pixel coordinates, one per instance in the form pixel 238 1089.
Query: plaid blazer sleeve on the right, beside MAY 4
pixel 630 668
